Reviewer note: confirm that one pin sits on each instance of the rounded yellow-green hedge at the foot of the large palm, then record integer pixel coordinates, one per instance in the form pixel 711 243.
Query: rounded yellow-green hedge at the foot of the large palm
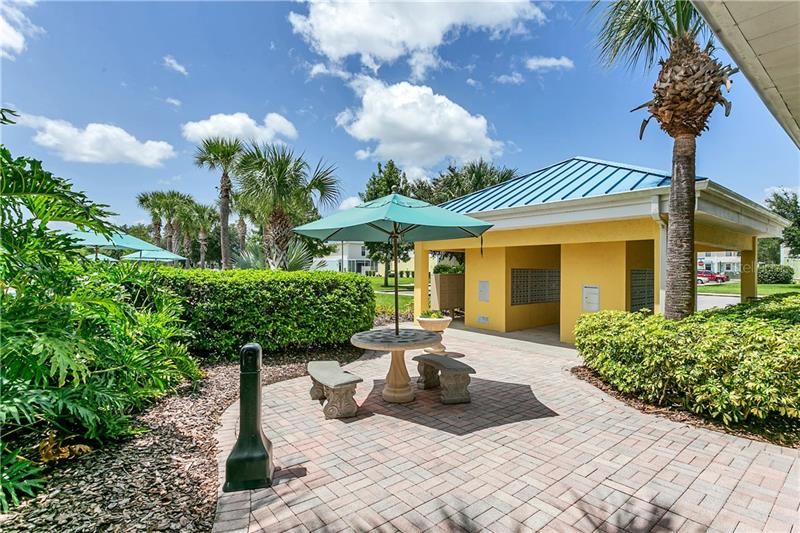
pixel 739 365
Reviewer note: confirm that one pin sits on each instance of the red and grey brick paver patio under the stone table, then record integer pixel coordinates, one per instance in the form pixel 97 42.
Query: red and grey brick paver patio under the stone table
pixel 537 449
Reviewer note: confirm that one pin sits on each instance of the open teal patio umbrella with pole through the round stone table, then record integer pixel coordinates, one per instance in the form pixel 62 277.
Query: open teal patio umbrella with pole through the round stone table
pixel 394 218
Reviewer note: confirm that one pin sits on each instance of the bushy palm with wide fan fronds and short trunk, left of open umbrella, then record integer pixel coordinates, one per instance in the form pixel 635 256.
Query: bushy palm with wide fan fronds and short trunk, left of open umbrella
pixel 282 185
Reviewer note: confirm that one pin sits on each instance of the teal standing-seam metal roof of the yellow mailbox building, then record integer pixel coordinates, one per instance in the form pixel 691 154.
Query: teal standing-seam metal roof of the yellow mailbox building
pixel 579 177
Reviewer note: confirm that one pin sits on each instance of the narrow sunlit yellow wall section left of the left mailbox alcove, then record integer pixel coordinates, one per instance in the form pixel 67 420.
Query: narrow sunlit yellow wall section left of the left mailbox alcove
pixel 491 267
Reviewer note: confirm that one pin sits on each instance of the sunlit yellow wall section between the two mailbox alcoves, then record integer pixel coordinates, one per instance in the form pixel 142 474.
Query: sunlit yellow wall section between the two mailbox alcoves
pixel 601 264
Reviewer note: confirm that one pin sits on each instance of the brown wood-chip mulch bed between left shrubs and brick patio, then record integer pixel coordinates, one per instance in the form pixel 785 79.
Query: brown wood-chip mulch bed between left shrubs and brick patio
pixel 165 479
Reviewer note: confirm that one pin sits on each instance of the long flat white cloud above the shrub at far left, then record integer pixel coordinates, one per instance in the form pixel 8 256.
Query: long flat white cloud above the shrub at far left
pixel 96 143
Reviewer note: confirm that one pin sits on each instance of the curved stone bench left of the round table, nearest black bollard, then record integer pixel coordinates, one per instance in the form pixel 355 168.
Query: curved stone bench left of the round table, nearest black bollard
pixel 337 386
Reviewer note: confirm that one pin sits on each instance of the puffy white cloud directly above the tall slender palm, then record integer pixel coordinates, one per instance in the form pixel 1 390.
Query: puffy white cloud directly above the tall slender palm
pixel 240 125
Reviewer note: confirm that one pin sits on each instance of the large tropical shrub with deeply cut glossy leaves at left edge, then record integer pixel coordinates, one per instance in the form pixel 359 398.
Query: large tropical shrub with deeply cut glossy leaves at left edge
pixel 82 346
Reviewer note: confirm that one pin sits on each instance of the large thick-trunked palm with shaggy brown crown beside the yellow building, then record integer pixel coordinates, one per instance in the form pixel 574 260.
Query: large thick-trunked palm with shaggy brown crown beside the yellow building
pixel 684 95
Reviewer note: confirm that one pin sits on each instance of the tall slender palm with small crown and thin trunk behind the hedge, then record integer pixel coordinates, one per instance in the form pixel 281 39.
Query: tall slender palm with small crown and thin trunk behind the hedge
pixel 216 153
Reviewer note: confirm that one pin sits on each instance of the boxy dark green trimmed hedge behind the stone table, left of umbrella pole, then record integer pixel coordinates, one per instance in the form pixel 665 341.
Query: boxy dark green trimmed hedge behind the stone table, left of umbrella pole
pixel 279 310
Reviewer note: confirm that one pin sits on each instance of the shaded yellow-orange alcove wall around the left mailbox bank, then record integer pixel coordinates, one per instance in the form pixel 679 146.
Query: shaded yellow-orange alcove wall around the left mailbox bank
pixel 530 315
